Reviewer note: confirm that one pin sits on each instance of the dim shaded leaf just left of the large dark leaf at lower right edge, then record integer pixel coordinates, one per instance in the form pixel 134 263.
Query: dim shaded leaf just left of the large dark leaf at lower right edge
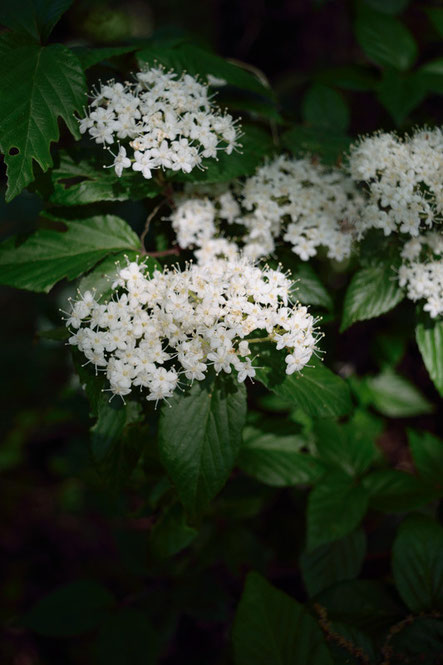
pixel 328 564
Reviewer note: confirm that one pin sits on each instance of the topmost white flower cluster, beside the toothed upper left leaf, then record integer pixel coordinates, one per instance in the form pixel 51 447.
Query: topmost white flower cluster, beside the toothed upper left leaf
pixel 169 121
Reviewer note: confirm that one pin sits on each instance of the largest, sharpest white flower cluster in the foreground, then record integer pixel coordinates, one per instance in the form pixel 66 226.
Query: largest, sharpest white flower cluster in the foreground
pixel 161 327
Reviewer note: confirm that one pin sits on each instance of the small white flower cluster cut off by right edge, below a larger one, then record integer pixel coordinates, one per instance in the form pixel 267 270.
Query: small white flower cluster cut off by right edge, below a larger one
pixel 422 271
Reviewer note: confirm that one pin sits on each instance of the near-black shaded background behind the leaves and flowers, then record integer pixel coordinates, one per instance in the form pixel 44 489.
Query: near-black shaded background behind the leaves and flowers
pixel 57 520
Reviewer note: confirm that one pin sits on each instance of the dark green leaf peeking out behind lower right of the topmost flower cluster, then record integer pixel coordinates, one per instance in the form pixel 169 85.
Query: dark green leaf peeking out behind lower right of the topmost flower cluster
pixel 255 145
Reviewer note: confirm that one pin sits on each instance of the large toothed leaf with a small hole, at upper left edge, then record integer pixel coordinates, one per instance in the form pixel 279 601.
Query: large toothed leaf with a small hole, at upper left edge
pixel 40 85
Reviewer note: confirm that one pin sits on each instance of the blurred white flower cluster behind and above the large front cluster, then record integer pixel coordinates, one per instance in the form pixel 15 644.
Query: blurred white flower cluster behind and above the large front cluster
pixel 307 204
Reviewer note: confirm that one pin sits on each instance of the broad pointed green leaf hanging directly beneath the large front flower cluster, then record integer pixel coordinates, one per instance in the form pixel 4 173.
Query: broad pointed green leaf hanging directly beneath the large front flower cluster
pixel 199 438
